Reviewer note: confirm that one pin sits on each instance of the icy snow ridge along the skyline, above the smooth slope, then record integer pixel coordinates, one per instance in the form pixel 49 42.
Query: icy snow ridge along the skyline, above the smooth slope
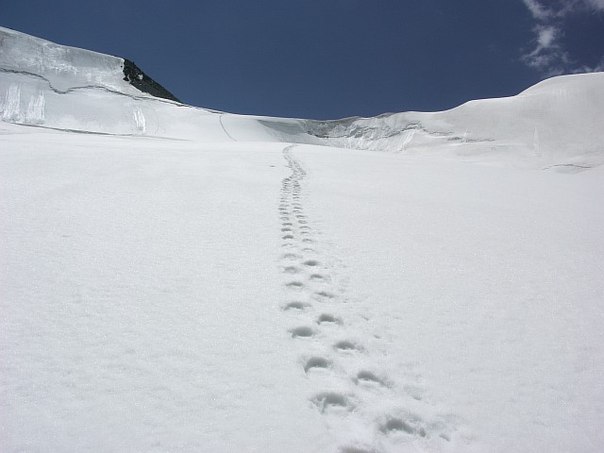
pixel 555 123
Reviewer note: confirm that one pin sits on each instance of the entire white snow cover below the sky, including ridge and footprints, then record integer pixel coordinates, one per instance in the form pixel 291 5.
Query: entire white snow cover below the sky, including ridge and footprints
pixel 179 279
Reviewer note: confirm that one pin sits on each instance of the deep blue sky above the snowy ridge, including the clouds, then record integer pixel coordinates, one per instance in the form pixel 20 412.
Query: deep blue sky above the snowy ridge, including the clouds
pixel 330 58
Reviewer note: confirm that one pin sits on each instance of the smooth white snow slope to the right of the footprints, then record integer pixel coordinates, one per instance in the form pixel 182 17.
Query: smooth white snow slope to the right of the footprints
pixel 484 285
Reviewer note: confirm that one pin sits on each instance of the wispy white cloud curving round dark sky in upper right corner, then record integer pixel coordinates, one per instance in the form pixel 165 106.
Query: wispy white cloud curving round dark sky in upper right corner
pixel 548 54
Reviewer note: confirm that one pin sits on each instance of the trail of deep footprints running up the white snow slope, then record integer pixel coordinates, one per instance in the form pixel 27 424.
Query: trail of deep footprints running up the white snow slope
pixel 359 402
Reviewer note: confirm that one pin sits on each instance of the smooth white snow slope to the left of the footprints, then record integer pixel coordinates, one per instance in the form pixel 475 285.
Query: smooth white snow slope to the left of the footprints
pixel 138 297
